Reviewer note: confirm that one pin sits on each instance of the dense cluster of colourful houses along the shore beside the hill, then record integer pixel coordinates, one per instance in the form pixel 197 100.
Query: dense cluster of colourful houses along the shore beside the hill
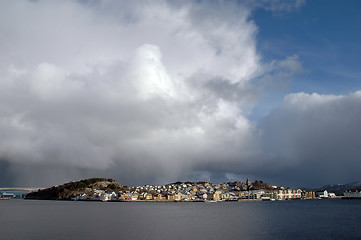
pixel 200 191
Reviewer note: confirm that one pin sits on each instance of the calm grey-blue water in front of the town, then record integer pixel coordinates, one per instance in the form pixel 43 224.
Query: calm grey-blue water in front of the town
pixel 299 219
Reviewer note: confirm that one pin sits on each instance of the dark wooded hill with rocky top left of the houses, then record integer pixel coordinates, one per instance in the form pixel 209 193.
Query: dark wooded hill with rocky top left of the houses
pixel 72 189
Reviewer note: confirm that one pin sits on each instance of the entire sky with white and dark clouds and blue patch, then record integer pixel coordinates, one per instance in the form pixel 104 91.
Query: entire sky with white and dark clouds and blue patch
pixel 154 92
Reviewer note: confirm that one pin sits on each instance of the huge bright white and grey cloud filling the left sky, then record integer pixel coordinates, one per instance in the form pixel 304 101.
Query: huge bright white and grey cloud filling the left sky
pixel 98 85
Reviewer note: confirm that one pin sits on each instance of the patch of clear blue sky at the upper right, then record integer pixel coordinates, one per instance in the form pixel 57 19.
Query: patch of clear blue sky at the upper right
pixel 326 37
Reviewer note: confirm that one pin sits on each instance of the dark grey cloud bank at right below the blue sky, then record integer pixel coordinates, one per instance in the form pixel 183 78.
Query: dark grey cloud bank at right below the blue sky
pixel 314 139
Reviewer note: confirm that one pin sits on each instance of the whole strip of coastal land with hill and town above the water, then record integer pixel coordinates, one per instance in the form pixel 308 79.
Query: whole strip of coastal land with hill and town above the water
pixel 100 189
